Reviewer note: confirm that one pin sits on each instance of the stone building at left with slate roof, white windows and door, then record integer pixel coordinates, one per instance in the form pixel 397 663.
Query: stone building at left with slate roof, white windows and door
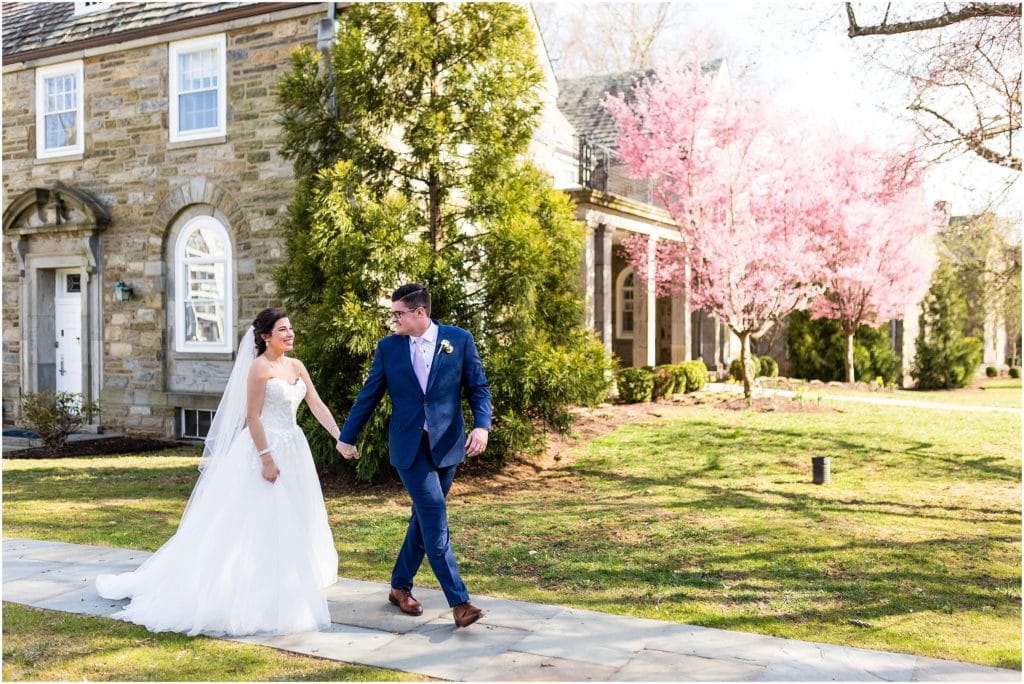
pixel 143 186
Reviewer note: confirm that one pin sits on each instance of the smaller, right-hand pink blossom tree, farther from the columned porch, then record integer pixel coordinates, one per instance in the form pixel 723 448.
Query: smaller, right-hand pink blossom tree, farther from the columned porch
pixel 879 255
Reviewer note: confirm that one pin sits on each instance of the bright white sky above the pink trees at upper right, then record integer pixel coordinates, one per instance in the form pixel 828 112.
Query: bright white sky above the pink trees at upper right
pixel 802 55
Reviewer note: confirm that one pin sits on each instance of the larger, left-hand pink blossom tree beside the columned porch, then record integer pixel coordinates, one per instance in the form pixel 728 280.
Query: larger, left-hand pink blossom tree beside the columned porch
pixel 742 190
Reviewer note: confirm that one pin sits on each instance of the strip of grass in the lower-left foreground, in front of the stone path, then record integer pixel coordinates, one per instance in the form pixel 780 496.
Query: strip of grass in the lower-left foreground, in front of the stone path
pixel 55 647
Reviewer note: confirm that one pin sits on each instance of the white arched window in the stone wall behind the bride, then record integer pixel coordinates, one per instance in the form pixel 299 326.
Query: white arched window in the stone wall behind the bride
pixel 204 320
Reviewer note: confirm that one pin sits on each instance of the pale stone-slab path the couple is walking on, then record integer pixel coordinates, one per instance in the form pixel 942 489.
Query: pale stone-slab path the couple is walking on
pixel 517 642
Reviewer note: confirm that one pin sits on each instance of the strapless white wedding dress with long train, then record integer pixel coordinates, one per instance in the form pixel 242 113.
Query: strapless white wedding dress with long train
pixel 248 557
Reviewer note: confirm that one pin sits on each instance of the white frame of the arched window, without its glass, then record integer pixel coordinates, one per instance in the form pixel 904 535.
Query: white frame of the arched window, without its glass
pixel 182 287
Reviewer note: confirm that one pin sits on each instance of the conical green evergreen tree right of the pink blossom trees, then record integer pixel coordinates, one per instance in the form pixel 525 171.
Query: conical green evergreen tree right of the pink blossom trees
pixel 946 358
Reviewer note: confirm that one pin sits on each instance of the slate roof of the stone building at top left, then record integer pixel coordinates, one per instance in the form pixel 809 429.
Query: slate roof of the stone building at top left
pixel 39 29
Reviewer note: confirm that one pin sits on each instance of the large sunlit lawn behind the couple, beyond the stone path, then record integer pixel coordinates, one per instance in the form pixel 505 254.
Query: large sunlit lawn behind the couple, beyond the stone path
pixel 709 520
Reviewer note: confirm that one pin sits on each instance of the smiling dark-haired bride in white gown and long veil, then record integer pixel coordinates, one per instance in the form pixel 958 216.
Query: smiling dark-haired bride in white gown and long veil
pixel 253 552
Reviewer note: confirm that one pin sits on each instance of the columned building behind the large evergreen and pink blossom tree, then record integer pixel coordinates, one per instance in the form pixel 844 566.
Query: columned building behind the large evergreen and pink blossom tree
pixel 639 327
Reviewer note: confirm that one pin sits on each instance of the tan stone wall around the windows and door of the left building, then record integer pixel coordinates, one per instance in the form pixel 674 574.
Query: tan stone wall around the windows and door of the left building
pixel 147 184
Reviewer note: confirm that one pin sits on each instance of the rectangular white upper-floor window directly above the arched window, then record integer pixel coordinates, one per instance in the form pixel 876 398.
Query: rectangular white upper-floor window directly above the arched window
pixel 197 89
